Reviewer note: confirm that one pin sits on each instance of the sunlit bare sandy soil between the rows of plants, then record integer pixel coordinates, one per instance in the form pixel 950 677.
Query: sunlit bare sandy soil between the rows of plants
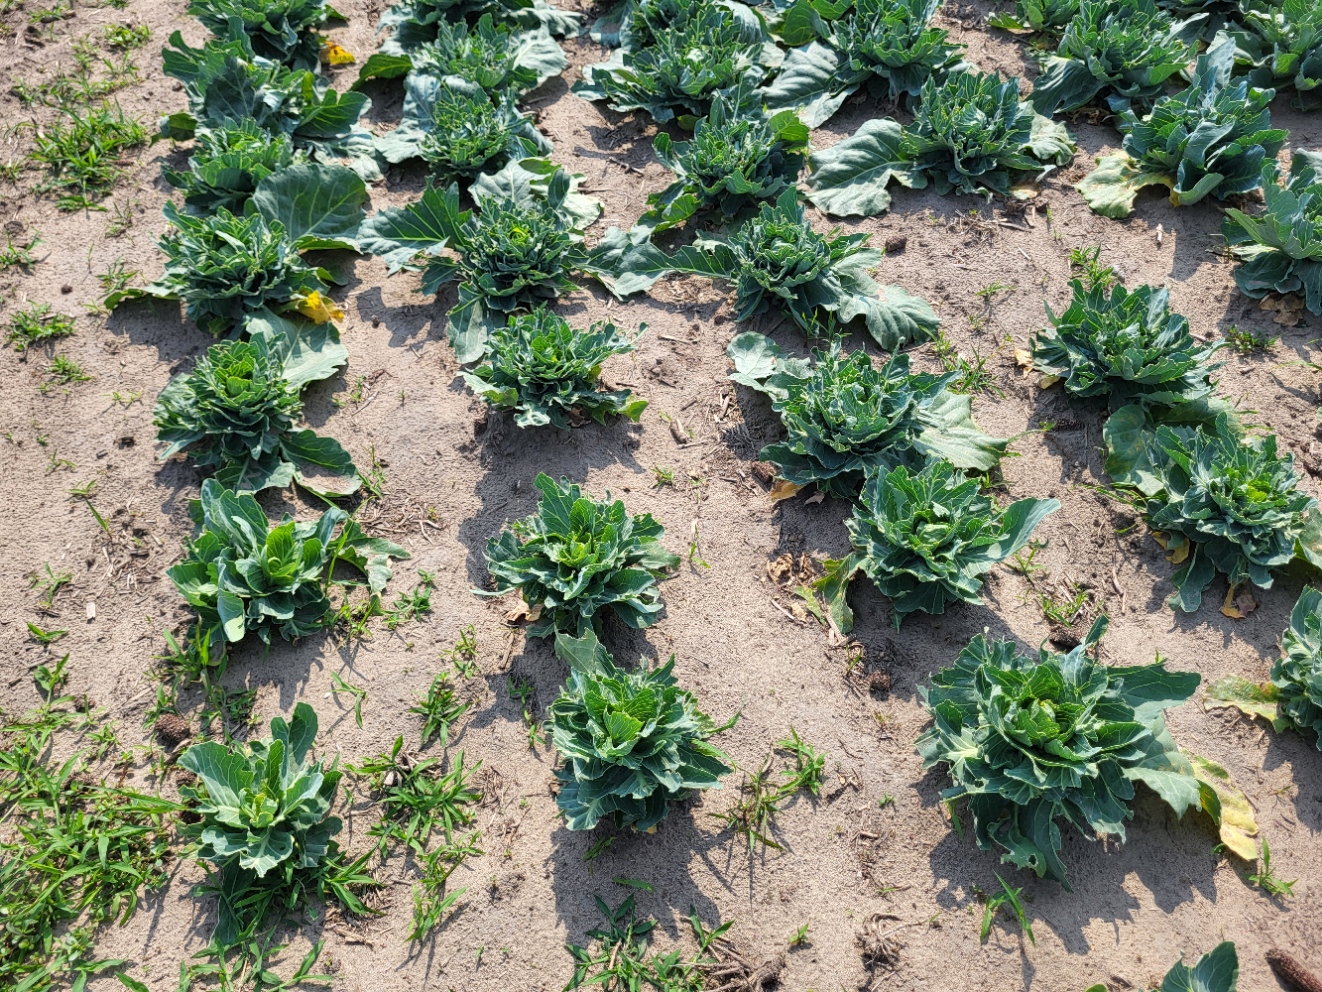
pixel 450 486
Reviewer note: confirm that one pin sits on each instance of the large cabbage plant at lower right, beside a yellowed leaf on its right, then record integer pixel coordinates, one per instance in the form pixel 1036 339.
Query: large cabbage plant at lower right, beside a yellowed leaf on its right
pixel 1033 741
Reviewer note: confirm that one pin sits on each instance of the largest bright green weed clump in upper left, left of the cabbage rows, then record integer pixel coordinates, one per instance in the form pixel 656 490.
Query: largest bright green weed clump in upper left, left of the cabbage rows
pixel 85 155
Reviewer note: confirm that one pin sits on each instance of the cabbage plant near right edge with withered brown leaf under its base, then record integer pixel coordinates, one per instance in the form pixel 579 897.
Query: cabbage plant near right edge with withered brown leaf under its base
pixel 1217 499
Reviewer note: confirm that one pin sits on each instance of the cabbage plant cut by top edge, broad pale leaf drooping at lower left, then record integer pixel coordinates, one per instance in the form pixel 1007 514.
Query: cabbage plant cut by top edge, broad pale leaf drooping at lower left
pixel 888 47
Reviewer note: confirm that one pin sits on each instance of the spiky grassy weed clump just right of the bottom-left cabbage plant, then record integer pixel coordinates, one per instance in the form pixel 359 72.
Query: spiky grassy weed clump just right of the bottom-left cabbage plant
pixel 417 798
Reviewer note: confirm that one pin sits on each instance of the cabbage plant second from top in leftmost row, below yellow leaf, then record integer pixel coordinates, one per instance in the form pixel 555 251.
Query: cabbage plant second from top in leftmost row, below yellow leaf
pixel 225 81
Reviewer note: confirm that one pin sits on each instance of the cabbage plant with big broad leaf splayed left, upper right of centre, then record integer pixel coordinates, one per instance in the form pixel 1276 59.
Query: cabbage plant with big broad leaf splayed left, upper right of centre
pixel 971 134
